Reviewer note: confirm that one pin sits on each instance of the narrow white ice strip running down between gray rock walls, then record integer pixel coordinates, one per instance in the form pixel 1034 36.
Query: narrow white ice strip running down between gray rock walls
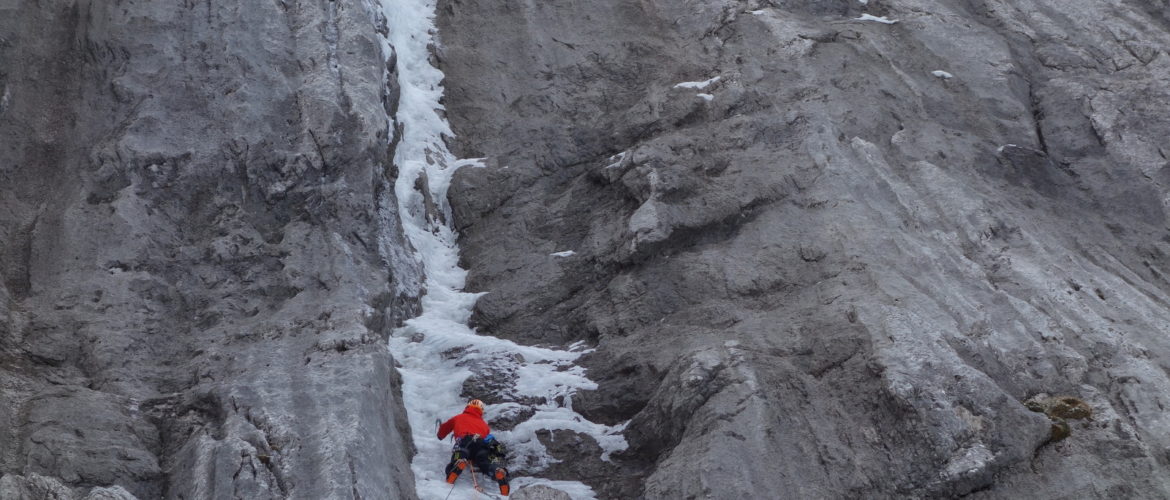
pixel 436 348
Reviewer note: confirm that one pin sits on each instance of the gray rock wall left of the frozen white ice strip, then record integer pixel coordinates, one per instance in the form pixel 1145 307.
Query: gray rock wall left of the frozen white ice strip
pixel 199 252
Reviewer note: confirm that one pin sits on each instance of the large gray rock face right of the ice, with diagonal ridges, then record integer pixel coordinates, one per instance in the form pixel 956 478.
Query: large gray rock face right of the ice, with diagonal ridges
pixel 841 269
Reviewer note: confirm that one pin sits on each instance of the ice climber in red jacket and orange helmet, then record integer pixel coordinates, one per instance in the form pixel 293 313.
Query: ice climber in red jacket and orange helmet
pixel 474 447
